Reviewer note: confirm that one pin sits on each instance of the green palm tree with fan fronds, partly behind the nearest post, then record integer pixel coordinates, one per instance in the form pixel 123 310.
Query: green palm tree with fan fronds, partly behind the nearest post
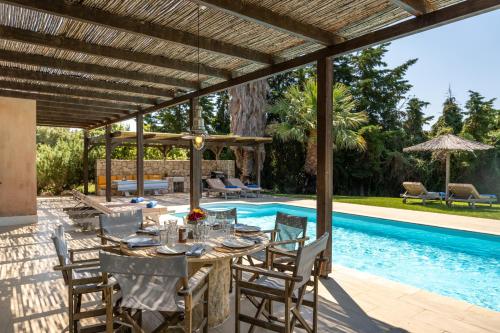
pixel 296 112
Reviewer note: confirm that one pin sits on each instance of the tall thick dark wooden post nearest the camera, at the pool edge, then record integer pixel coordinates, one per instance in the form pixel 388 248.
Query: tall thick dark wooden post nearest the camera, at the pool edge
pixel 324 184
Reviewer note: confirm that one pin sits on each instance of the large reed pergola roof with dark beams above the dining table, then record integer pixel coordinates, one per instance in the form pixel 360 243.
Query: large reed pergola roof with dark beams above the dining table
pixel 94 62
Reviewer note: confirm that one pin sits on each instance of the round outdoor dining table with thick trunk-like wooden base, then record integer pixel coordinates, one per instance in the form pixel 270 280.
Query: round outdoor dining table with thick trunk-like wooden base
pixel 220 258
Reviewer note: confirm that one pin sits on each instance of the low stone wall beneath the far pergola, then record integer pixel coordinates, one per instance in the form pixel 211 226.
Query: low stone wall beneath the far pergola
pixel 165 168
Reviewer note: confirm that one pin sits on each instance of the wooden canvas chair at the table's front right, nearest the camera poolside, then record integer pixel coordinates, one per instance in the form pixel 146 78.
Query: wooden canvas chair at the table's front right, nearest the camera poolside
pixel 282 287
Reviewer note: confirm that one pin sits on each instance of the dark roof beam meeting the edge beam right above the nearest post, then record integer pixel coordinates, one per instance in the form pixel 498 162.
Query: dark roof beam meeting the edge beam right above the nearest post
pixel 273 20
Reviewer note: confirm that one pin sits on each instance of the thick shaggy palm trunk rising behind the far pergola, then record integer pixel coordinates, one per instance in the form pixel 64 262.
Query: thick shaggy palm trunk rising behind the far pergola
pixel 248 118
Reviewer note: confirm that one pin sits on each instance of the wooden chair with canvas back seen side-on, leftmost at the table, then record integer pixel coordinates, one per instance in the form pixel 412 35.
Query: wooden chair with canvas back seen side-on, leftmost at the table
pixel 81 277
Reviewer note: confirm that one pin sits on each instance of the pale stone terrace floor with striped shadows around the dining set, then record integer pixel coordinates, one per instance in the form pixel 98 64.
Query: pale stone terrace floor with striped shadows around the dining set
pixel 33 297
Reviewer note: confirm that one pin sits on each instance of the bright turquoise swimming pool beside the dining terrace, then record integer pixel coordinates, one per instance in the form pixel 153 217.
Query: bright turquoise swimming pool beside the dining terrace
pixel 459 264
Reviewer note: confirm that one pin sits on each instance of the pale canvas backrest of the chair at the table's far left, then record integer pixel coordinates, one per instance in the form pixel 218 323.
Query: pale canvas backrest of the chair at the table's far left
pixel 116 226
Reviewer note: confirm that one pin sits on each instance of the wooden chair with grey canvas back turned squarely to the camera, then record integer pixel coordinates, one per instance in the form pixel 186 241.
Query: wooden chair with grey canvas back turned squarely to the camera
pixel 152 284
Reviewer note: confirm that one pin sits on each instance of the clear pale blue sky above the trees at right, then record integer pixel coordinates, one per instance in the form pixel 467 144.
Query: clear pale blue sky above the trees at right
pixel 464 55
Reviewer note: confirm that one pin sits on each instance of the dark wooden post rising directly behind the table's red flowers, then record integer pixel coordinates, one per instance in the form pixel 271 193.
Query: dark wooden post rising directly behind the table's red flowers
pixel 194 162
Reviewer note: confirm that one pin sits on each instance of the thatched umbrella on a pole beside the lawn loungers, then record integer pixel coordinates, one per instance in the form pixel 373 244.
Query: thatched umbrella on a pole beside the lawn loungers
pixel 448 143
